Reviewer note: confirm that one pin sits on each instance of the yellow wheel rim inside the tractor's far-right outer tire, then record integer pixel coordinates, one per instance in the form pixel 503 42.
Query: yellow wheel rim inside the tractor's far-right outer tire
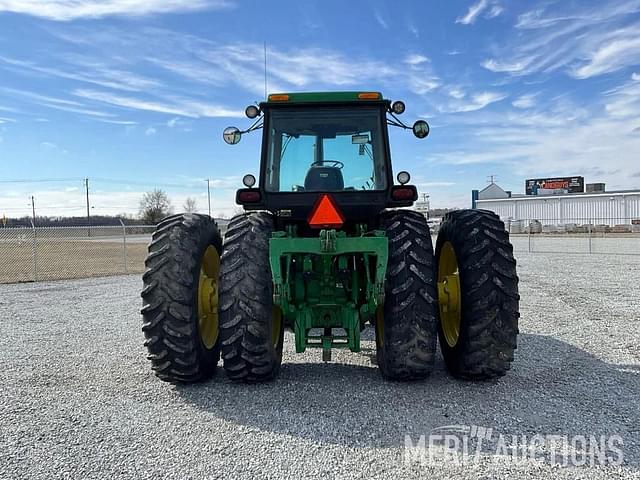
pixel 449 295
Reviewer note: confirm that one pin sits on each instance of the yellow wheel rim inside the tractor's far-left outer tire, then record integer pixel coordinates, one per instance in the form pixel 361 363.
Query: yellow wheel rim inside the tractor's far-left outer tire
pixel 208 297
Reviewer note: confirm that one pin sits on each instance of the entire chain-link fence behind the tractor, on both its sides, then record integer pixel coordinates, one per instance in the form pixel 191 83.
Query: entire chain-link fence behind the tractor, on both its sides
pixel 52 253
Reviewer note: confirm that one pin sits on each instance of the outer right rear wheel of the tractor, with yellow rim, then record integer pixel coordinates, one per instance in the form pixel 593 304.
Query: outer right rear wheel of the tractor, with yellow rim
pixel 478 290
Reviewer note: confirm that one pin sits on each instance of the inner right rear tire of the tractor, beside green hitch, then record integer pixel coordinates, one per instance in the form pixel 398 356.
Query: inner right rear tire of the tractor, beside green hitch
pixel 406 327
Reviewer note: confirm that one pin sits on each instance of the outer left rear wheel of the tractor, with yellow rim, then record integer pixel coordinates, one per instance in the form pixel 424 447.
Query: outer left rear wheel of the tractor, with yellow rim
pixel 180 299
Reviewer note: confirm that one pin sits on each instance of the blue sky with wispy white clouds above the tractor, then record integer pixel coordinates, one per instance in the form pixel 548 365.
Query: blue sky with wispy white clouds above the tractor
pixel 136 93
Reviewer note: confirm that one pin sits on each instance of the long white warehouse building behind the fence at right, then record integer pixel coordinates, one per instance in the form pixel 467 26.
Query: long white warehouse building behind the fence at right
pixel 616 208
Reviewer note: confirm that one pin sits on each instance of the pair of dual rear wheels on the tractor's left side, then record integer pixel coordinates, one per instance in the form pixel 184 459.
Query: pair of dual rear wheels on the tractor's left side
pixel 189 281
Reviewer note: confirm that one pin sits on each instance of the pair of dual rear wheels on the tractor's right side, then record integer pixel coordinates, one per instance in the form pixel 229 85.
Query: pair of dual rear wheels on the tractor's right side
pixel 474 266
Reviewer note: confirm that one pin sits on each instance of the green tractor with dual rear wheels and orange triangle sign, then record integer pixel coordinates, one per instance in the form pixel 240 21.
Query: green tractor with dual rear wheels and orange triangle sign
pixel 325 246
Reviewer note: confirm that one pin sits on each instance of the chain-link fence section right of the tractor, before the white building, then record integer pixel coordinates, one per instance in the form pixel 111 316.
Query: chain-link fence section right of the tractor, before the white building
pixel 604 236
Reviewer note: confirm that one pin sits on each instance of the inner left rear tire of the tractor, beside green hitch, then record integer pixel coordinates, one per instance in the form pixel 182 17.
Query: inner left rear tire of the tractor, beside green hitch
pixel 251 326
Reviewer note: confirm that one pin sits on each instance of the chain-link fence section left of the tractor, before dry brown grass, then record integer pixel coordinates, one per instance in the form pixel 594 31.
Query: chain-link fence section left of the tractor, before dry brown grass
pixel 52 253
